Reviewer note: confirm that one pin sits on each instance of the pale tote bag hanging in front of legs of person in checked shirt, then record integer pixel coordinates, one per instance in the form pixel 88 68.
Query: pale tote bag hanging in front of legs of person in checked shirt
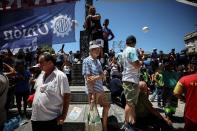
pixel 93 119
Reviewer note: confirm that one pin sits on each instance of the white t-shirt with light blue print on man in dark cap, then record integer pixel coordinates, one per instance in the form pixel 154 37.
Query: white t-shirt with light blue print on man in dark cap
pixel 130 73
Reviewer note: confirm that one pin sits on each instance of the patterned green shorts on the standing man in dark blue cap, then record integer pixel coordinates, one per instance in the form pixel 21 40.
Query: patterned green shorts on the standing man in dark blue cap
pixel 131 91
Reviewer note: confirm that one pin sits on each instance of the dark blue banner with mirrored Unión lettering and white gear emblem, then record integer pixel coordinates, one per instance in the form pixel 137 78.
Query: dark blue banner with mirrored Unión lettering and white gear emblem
pixel 54 24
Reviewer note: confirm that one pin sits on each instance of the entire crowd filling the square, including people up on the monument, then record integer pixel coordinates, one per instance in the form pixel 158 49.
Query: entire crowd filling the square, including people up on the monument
pixel 128 75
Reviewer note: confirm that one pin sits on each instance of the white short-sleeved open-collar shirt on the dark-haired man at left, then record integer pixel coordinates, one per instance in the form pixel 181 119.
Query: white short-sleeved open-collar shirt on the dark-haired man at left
pixel 49 95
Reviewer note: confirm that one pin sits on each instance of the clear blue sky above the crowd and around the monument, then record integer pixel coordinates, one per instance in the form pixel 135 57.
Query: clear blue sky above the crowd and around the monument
pixel 168 20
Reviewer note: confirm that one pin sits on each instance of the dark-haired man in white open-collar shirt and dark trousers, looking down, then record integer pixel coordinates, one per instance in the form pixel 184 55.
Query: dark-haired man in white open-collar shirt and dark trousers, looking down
pixel 52 96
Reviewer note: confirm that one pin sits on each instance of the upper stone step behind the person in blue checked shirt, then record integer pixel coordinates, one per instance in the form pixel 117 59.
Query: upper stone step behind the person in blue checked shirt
pixel 78 94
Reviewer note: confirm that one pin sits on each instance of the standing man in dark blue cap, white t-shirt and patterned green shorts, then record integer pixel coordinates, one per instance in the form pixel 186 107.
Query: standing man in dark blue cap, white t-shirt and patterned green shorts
pixel 131 67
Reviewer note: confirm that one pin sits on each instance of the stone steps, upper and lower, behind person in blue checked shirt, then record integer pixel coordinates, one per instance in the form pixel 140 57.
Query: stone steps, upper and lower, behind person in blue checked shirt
pixel 78 109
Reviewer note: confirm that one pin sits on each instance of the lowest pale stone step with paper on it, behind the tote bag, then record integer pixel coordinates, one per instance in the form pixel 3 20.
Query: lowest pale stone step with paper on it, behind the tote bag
pixel 77 116
